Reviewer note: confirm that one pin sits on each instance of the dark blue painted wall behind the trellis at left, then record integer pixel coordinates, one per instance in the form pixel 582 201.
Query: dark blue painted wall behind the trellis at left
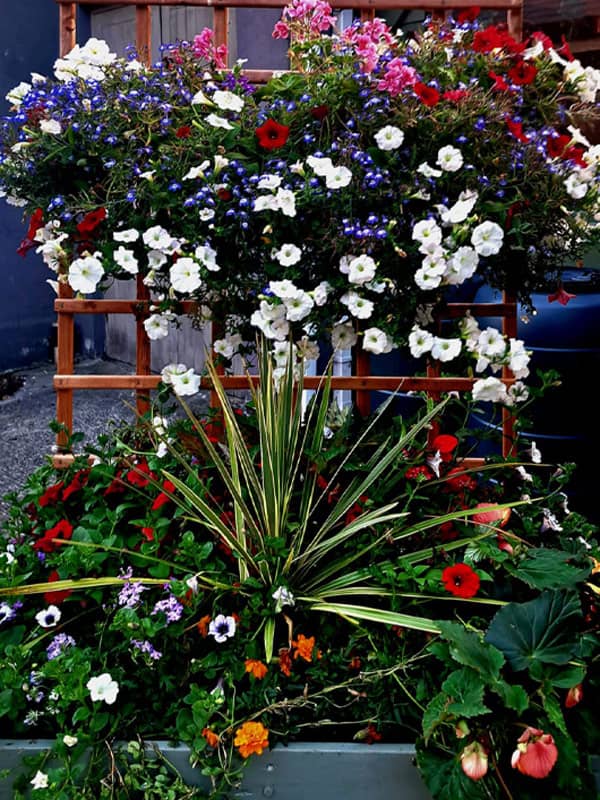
pixel 29 43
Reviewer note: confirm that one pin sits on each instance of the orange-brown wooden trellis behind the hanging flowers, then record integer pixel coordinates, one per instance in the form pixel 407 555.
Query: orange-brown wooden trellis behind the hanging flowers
pixel 143 381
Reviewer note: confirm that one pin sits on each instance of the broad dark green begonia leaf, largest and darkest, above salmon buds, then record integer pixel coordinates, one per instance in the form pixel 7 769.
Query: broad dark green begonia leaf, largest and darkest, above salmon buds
pixel 541 630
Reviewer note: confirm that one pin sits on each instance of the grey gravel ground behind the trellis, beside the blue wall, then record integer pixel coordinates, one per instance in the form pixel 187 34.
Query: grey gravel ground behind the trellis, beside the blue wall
pixel 26 439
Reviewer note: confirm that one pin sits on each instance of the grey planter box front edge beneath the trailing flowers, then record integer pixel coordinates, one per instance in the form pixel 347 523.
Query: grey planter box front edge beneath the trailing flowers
pixel 307 771
